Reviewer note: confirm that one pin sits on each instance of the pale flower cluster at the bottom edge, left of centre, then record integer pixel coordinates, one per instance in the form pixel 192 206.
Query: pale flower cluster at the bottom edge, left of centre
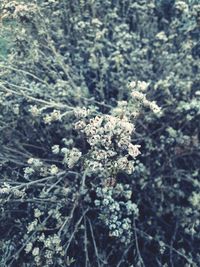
pixel 44 246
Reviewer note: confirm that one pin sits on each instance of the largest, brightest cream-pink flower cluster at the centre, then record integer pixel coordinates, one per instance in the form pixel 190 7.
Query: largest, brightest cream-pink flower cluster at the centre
pixel 109 138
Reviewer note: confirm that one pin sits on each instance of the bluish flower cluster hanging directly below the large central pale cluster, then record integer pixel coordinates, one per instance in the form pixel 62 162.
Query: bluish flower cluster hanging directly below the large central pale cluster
pixel 117 210
